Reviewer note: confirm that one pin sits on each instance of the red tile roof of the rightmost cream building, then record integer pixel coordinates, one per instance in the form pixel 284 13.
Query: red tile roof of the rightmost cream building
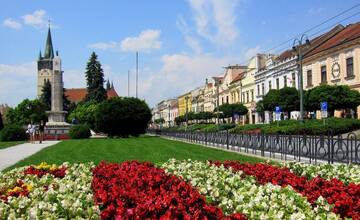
pixel 347 34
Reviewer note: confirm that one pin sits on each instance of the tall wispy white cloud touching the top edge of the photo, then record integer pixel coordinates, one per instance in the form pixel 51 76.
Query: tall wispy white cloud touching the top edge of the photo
pixel 215 20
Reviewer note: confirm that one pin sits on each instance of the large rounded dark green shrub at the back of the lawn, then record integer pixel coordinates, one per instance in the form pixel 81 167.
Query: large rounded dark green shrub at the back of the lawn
pixel 123 117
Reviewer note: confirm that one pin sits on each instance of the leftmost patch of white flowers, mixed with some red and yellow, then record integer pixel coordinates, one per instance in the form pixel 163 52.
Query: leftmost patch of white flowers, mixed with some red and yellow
pixel 49 196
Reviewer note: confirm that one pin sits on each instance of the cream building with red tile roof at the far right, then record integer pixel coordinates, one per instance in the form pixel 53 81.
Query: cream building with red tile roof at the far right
pixel 335 62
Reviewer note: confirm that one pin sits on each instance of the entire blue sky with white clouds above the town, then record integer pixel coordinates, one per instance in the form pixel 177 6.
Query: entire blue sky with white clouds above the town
pixel 180 42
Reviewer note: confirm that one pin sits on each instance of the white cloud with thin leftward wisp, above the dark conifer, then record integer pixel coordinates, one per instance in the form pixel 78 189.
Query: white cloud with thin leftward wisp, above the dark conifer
pixel 146 41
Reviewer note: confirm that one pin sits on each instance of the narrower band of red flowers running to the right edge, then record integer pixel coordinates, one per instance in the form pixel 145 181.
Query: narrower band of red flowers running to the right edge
pixel 345 199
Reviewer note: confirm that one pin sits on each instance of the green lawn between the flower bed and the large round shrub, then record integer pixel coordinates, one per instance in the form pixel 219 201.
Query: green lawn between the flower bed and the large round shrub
pixel 144 148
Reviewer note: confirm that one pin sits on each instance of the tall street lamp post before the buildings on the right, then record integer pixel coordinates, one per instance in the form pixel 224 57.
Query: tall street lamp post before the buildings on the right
pixel 297 46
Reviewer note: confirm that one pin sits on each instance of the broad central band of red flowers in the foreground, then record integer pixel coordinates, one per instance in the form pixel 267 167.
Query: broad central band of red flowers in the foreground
pixel 134 190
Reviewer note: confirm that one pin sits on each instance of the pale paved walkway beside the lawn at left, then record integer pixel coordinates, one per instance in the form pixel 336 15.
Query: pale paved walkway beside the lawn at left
pixel 11 155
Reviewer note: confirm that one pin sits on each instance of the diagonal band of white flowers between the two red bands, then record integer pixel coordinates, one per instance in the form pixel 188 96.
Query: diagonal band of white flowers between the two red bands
pixel 234 192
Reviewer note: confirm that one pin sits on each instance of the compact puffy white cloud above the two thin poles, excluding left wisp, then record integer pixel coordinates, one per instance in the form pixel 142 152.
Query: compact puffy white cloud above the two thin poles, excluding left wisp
pixel 146 41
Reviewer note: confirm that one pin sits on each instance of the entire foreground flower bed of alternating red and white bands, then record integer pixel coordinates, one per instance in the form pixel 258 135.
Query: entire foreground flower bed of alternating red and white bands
pixel 180 189
